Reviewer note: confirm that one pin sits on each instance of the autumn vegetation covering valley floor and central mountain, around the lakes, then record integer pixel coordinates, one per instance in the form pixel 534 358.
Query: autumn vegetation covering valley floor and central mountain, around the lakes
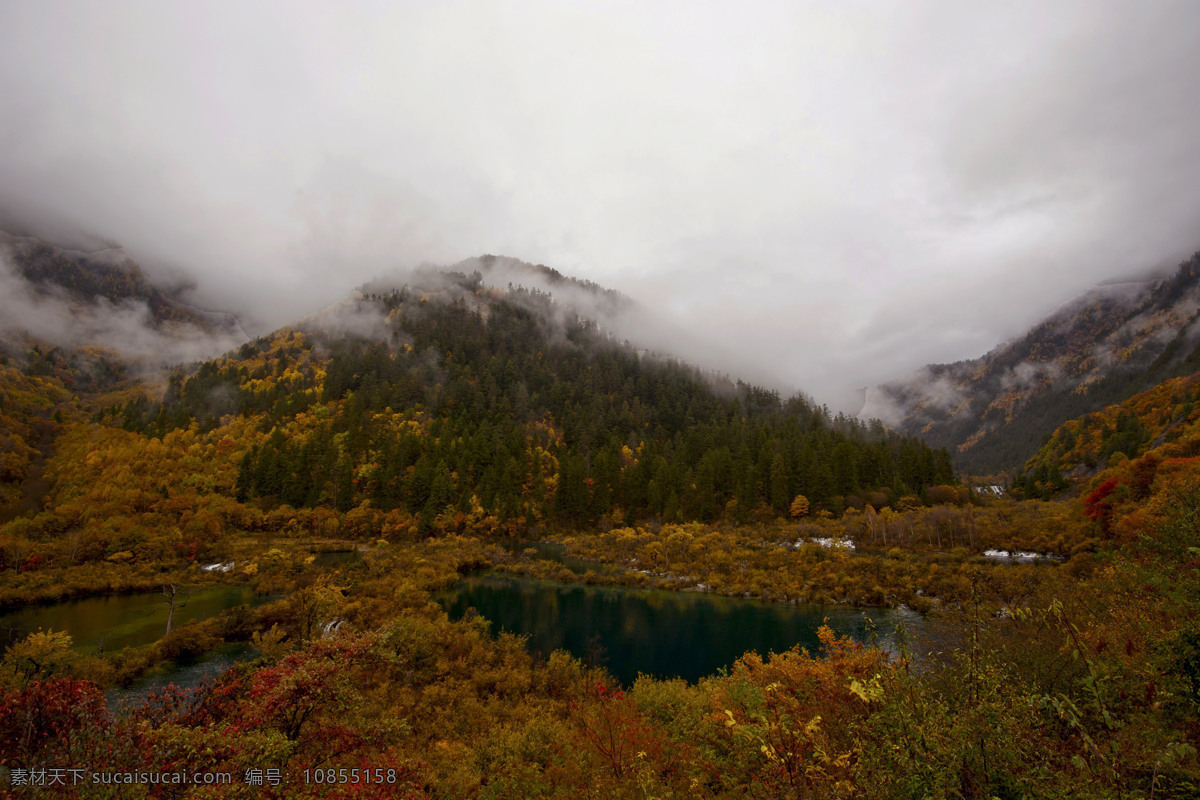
pixel 422 430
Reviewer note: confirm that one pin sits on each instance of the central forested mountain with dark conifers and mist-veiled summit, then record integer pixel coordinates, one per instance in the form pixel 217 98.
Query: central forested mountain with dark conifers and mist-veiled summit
pixel 458 401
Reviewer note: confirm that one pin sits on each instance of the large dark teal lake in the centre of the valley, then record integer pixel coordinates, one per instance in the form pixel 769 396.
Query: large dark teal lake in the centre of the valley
pixel 658 633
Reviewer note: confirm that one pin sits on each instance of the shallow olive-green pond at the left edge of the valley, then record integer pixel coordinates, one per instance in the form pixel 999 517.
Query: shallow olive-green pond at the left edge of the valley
pixel 123 621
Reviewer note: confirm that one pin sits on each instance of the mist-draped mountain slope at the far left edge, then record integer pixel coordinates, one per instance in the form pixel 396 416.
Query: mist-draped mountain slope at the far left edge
pixel 75 326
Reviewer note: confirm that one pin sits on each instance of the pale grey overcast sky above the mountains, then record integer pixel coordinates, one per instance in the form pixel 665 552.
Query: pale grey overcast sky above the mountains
pixel 839 191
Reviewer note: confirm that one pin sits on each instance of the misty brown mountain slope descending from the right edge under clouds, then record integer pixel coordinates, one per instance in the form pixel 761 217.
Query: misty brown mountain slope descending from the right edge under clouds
pixel 995 412
